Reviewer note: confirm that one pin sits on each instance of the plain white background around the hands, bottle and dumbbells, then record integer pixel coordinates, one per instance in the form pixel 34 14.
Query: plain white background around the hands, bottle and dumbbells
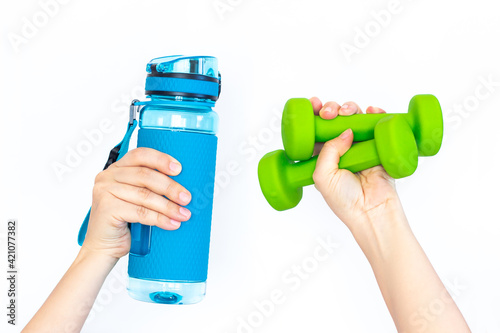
pixel 87 61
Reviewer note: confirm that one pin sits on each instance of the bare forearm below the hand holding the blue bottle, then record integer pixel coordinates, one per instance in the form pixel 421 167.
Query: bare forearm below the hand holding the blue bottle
pixel 69 304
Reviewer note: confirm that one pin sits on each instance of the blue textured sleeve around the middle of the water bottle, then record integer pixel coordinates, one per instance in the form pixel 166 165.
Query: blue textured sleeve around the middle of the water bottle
pixel 182 254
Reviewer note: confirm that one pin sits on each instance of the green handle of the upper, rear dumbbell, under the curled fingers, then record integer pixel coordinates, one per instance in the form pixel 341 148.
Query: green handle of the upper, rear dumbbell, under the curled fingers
pixel 362 125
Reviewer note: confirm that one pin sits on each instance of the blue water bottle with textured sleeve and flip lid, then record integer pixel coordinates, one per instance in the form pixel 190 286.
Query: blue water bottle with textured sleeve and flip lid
pixel 170 267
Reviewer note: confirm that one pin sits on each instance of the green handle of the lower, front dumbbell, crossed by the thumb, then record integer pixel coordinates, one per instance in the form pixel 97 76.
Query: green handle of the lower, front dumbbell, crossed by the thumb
pixel 361 156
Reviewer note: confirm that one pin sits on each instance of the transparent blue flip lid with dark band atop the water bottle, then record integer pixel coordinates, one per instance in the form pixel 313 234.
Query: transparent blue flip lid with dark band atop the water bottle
pixel 184 76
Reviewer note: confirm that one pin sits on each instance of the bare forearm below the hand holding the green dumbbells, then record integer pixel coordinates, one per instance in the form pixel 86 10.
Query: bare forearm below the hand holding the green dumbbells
pixel 413 292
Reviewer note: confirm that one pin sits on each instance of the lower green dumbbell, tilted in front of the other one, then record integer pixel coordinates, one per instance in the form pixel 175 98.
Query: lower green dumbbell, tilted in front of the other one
pixel 394 147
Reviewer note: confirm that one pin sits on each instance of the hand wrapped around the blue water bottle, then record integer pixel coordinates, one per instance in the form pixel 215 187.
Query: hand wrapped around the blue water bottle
pixel 136 188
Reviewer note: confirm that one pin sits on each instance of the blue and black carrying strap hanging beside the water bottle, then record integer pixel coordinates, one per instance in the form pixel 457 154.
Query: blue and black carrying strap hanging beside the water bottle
pixel 114 155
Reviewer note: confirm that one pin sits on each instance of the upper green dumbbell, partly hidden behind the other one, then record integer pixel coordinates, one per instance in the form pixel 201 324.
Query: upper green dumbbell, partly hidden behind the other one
pixel 300 128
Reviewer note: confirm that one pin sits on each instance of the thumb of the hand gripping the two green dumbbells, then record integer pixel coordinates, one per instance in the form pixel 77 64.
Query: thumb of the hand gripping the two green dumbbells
pixel 328 159
